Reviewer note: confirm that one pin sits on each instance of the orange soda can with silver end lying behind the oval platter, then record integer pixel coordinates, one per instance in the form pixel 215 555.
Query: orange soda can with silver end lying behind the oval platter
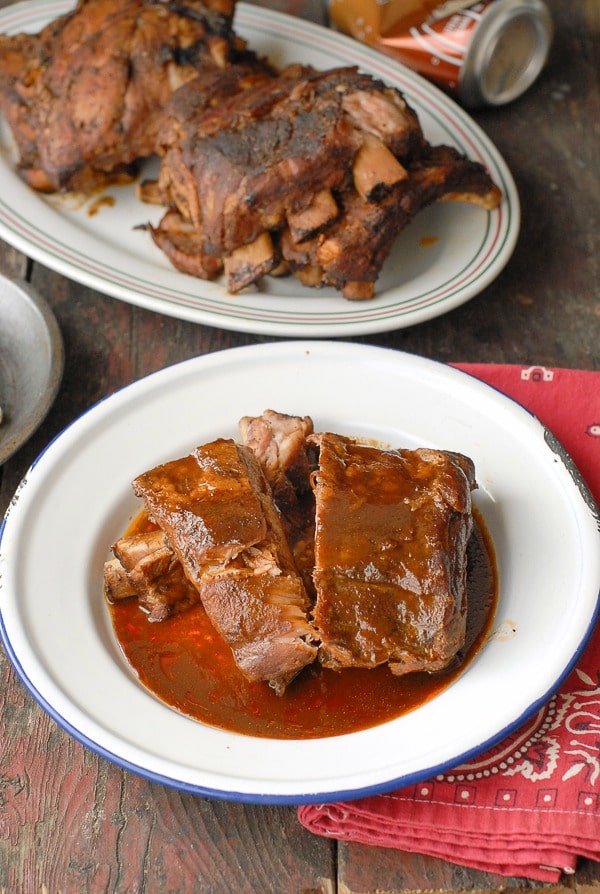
pixel 485 53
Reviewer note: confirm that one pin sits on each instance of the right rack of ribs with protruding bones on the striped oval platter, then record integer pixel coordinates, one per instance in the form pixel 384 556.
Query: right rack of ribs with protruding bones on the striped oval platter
pixel 310 172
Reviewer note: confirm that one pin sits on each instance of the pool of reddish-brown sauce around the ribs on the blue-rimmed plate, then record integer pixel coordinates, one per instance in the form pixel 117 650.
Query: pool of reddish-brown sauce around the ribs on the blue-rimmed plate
pixel 187 665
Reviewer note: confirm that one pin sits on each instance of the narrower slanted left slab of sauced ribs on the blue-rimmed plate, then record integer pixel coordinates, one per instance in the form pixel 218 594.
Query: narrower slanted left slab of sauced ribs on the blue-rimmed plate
pixel 216 510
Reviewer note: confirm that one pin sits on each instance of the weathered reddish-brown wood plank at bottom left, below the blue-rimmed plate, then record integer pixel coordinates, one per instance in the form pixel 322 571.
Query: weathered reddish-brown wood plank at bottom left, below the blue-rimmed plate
pixel 70 821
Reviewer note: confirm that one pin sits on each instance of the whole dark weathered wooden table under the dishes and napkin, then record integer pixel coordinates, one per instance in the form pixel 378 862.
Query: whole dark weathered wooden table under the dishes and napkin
pixel 70 821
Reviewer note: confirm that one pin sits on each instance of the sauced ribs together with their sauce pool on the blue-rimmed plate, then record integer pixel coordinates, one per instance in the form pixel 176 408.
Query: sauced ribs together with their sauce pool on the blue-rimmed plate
pixel 302 585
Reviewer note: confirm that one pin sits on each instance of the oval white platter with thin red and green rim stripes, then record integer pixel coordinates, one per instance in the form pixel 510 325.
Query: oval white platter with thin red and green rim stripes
pixel 447 255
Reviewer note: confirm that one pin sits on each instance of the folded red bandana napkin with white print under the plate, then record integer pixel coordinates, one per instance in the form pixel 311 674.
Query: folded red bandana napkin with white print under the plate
pixel 531 805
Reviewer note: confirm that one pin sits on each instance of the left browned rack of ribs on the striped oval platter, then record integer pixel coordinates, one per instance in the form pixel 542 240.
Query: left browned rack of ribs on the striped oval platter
pixel 84 97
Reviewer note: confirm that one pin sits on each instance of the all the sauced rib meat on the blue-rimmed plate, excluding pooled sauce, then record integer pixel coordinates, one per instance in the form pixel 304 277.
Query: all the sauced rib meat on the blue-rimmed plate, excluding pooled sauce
pixel 305 546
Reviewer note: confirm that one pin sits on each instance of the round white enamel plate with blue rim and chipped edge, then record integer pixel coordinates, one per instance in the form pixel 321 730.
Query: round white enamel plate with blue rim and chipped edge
pixel 77 499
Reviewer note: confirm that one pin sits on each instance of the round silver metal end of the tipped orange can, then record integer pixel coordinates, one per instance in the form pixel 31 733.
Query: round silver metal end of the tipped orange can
pixel 509 49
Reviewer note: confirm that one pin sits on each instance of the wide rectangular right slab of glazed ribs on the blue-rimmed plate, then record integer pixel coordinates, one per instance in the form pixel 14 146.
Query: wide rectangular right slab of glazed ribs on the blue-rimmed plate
pixel 390 555
